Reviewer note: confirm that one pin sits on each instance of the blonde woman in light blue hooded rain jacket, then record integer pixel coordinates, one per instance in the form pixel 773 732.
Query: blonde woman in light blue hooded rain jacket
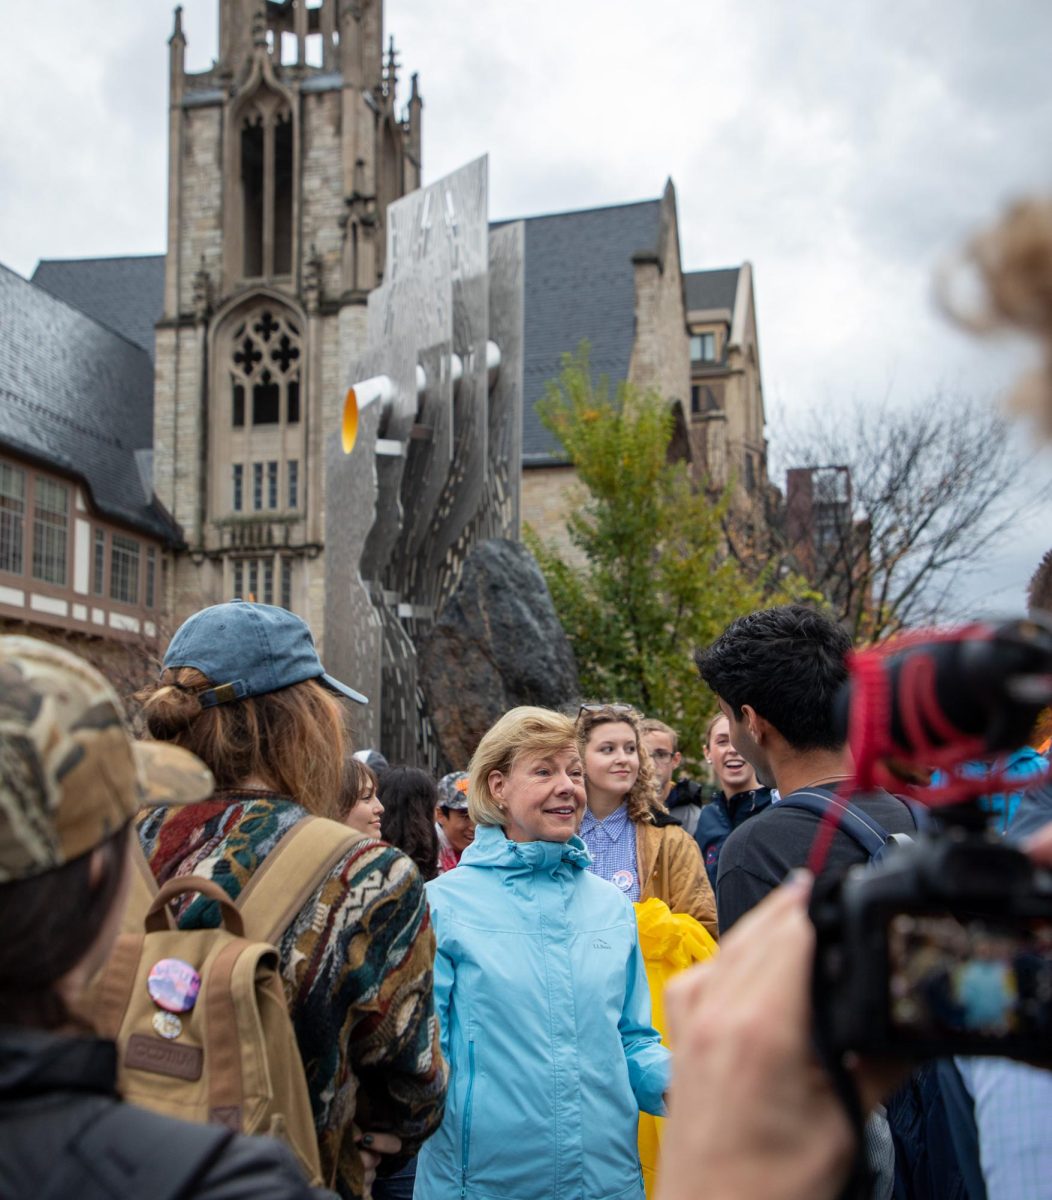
pixel 540 991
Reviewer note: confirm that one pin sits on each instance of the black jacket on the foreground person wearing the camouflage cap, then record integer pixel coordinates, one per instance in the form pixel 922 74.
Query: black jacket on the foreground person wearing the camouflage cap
pixel 65 1133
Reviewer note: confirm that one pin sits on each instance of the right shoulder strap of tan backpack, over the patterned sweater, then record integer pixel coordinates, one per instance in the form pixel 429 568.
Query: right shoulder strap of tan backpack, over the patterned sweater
pixel 308 855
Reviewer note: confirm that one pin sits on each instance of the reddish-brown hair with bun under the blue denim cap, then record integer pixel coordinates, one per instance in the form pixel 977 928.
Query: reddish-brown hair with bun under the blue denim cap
pixel 294 740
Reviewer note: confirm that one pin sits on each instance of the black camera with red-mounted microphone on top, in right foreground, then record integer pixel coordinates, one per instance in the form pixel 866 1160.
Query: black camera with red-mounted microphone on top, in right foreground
pixel 946 946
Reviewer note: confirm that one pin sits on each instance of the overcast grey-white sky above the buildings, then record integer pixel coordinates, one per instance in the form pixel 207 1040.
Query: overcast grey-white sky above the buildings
pixel 845 149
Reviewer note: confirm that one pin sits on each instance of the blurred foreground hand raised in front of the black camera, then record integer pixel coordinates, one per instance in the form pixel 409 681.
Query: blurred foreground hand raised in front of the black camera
pixel 753 1113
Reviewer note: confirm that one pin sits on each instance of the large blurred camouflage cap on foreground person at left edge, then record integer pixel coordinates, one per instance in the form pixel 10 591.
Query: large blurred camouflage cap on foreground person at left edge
pixel 71 775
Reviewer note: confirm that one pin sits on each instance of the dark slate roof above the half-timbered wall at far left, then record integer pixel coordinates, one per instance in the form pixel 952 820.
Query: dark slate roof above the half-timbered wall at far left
pixel 79 397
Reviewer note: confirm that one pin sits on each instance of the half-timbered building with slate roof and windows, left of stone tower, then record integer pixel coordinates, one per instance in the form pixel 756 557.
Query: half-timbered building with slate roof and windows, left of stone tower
pixel 83 543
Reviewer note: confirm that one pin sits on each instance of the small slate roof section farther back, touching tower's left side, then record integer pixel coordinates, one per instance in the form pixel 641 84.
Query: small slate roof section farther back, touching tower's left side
pixel 124 295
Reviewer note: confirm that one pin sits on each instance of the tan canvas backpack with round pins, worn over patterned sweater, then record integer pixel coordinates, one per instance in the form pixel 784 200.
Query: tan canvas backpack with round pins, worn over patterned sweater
pixel 230 1058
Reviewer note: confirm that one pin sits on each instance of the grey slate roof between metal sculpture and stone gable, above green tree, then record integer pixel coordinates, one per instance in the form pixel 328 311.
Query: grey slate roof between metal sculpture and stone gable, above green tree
pixel 580 284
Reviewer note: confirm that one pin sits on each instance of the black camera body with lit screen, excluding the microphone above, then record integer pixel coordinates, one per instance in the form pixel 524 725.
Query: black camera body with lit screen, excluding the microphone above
pixel 946 947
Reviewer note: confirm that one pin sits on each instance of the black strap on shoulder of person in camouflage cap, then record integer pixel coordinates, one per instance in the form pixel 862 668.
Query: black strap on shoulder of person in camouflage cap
pixel 128 1154
